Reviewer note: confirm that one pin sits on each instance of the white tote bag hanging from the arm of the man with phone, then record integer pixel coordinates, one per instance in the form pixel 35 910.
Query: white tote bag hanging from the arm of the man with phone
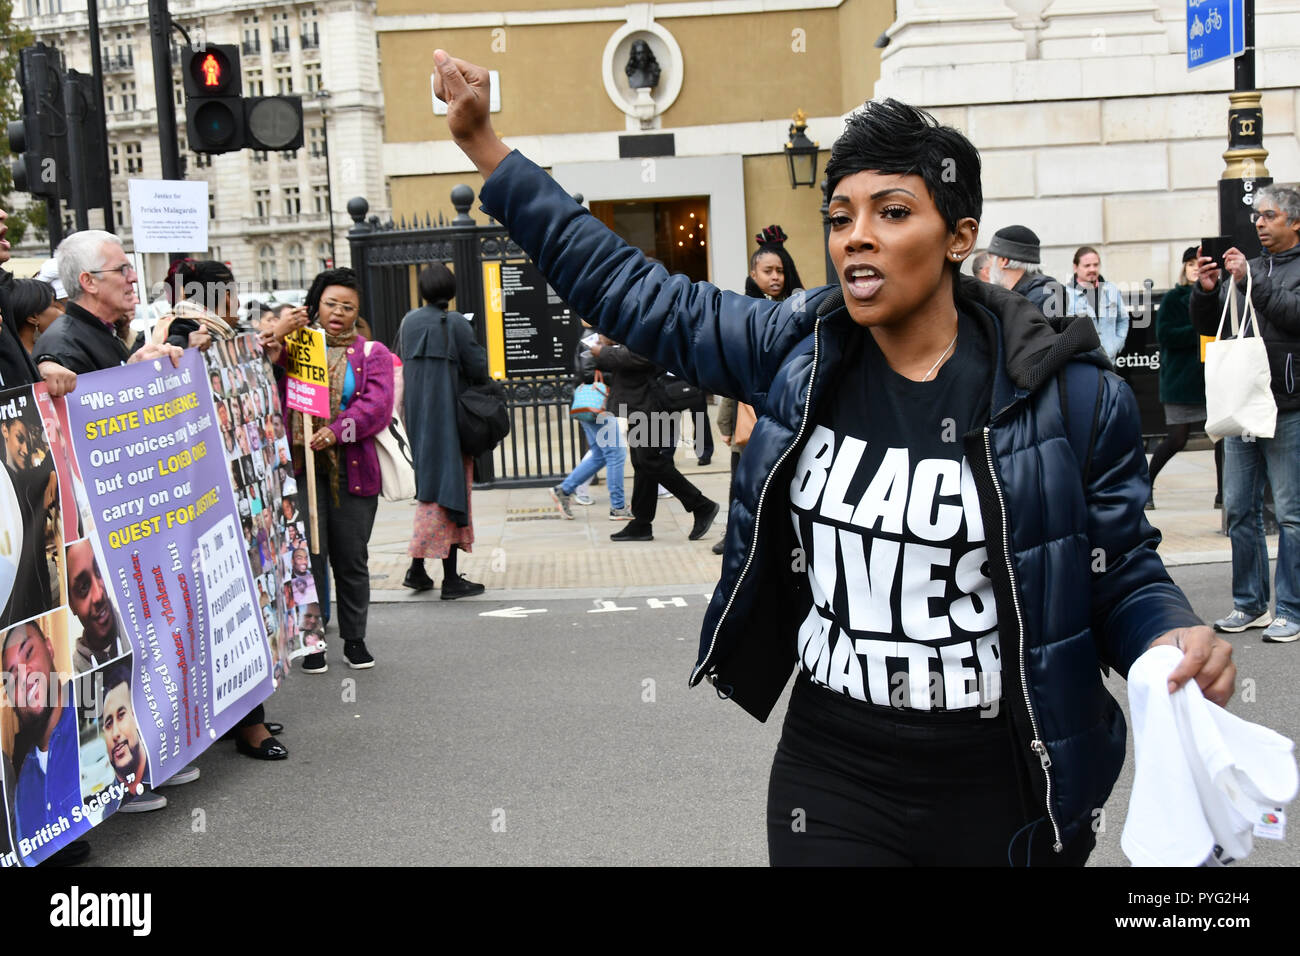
pixel 1238 383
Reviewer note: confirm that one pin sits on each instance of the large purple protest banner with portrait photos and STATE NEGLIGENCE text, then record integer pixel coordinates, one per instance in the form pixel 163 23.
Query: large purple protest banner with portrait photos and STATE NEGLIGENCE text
pixel 136 628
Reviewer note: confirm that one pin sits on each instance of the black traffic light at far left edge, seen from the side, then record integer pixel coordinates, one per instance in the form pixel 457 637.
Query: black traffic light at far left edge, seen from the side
pixel 40 139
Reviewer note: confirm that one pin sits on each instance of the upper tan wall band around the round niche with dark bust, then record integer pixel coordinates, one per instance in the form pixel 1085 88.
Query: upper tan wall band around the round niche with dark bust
pixel 551 76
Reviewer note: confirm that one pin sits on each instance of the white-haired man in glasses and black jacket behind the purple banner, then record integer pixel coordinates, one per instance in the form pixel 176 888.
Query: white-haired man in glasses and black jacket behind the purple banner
pixel 99 282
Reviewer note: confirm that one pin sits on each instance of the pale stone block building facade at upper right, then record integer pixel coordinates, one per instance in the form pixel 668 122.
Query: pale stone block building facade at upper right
pixel 1091 128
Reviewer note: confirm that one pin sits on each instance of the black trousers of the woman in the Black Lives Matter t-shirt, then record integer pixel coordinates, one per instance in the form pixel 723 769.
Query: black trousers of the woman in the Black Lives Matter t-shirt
pixel 856 785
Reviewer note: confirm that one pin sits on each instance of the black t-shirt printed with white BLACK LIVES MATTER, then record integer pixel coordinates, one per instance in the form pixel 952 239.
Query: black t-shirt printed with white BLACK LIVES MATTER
pixel 889 525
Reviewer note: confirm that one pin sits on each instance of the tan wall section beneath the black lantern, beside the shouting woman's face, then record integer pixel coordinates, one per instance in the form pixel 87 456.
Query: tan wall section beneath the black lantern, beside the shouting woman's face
pixel 769 200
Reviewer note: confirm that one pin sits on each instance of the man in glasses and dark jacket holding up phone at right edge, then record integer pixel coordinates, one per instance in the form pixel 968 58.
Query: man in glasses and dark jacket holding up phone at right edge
pixel 1250 462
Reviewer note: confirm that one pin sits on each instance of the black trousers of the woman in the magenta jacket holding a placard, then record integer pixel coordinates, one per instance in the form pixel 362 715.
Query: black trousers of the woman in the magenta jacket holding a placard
pixel 345 537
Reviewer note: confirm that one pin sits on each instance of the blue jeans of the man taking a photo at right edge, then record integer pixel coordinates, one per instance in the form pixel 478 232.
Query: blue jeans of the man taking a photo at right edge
pixel 1246 468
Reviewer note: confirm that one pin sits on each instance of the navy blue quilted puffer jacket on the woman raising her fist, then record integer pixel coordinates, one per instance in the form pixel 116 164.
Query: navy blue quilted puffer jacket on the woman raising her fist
pixel 1077 579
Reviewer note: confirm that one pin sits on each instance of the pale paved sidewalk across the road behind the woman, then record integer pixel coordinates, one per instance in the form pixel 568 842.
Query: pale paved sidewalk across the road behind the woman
pixel 525 550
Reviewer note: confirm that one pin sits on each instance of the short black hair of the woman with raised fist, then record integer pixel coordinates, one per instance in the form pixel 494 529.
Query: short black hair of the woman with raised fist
pixel 892 137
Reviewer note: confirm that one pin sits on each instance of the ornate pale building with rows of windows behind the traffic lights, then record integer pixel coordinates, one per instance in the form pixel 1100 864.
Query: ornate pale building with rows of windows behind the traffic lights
pixel 268 211
